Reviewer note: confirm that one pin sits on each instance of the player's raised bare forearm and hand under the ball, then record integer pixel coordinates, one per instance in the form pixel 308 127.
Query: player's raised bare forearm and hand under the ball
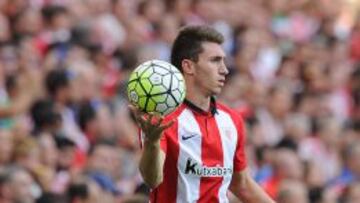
pixel 152 158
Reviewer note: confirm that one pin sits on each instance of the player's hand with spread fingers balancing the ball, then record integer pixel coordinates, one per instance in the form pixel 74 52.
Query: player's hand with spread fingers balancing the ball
pixel 150 124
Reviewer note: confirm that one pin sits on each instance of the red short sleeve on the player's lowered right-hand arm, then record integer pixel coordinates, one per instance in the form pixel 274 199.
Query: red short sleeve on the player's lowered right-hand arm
pixel 239 157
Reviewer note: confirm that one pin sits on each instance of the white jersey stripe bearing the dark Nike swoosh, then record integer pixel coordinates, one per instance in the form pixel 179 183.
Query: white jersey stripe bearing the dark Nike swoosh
pixel 188 186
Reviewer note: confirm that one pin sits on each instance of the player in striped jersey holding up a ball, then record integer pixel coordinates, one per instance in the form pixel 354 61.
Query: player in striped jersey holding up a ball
pixel 196 153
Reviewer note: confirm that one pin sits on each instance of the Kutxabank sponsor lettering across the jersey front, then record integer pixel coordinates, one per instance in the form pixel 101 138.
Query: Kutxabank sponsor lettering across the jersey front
pixel 194 168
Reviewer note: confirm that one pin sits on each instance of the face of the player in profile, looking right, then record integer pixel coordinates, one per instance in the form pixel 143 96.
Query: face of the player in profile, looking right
pixel 208 73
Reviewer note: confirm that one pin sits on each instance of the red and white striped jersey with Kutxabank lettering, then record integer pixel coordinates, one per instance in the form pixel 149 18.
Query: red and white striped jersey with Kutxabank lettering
pixel 203 150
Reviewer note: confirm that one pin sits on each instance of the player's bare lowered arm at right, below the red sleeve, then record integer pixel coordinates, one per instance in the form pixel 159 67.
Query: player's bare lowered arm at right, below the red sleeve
pixel 247 190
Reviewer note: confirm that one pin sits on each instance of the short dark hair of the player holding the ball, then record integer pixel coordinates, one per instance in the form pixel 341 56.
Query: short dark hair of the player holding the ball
pixel 188 43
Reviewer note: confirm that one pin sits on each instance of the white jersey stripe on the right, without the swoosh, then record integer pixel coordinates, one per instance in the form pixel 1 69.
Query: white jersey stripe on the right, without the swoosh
pixel 228 134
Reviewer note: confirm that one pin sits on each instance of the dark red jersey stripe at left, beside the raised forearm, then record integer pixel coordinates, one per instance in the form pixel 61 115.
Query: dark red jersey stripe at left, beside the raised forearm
pixel 167 190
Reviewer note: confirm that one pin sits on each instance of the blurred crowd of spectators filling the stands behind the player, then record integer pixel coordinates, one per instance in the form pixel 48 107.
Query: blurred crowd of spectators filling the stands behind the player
pixel 66 134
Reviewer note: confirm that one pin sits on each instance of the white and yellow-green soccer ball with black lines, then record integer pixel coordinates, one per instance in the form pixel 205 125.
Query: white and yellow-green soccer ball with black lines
pixel 156 86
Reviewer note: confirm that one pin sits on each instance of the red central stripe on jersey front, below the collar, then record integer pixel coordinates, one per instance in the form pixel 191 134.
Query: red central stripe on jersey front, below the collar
pixel 211 155
